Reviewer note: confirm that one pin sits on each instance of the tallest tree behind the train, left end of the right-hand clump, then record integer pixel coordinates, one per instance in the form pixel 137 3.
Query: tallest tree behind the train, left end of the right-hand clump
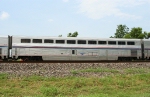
pixel 121 31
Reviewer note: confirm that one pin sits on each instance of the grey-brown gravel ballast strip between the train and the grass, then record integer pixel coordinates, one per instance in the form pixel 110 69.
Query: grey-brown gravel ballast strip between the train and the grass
pixel 66 69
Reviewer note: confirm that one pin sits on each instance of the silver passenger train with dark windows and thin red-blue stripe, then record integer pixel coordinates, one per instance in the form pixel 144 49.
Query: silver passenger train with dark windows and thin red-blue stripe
pixel 73 48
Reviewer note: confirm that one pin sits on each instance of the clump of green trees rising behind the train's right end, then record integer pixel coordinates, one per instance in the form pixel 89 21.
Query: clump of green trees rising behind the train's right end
pixel 123 31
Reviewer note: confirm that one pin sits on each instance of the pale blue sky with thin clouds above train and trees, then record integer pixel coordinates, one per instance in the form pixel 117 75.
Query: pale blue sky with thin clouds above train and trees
pixel 90 18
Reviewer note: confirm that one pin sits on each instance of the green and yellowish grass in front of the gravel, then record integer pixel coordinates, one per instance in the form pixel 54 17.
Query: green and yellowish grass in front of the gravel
pixel 133 83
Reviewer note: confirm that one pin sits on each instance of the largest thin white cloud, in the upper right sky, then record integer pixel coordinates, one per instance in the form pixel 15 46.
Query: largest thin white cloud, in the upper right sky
pixel 97 9
